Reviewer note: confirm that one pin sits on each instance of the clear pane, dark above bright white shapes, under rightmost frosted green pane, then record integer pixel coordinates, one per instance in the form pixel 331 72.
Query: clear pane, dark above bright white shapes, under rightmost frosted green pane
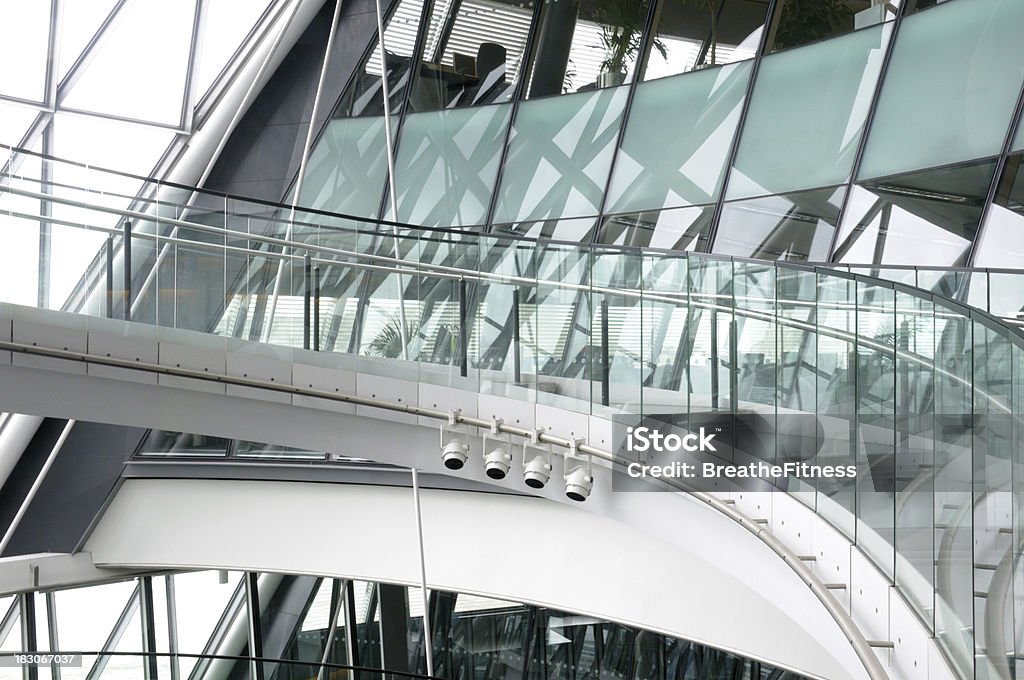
pixel 928 218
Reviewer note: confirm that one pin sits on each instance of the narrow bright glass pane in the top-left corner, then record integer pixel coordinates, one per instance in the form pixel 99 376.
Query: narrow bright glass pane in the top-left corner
pixel 25 31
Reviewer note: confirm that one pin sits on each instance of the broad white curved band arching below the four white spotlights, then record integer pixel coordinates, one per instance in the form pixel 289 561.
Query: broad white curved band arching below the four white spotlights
pixel 590 565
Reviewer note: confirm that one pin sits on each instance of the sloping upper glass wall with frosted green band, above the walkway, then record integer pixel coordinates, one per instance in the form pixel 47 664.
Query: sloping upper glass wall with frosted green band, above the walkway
pixel 478 146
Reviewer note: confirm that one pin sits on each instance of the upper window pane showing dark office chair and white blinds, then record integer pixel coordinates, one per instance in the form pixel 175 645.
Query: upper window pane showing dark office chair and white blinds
pixel 474 54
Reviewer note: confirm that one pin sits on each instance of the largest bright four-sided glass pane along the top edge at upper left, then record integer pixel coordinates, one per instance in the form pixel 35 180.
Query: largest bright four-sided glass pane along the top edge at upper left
pixel 140 69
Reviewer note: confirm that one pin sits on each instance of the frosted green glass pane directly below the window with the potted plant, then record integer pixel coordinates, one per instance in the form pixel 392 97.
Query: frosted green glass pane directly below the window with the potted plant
pixel 560 156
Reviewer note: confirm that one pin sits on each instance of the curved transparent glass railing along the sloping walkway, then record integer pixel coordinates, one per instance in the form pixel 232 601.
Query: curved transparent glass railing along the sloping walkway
pixel 921 394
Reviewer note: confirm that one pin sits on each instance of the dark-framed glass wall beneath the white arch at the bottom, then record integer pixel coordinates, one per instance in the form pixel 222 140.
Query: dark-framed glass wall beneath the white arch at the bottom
pixel 201 625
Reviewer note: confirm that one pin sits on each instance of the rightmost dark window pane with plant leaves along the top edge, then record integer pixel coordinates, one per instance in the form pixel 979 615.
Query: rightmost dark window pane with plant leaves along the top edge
pixel 802 22
